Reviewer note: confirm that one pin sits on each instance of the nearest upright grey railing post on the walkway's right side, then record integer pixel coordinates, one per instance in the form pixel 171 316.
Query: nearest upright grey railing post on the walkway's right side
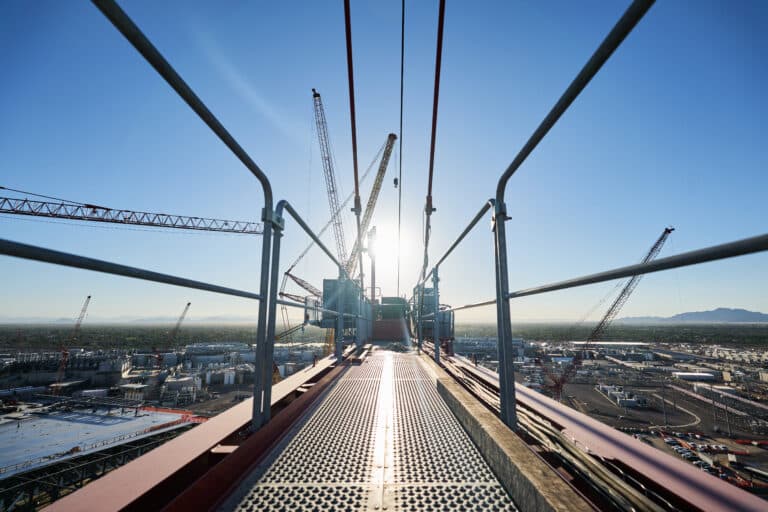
pixel 503 322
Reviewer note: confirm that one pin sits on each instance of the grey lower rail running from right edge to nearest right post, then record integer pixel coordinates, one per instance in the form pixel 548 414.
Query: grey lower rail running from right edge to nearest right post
pixel 716 252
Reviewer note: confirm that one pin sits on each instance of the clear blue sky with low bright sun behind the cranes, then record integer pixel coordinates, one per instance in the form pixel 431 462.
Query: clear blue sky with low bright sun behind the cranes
pixel 672 131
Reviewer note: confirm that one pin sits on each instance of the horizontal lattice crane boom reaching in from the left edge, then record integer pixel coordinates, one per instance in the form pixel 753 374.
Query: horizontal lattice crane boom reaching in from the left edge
pixel 93 213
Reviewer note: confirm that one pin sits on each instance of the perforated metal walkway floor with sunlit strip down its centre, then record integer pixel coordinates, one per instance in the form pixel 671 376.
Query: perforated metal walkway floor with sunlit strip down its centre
pixel 380 439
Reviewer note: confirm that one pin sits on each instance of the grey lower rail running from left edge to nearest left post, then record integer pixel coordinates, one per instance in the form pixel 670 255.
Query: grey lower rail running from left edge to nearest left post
pixel 32 252
